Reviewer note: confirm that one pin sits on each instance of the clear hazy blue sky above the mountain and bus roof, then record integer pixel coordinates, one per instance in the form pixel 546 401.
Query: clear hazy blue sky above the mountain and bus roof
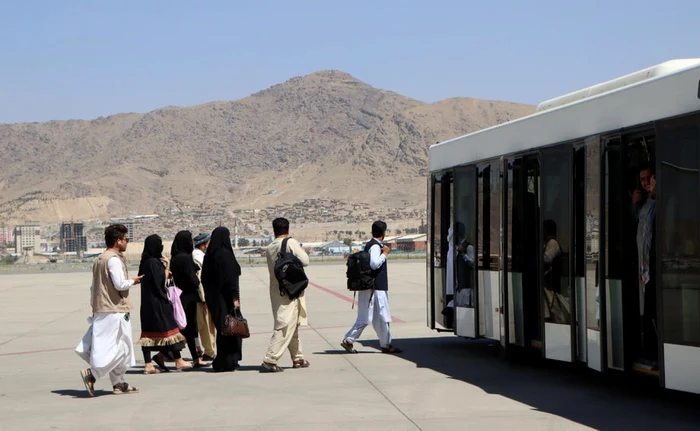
pixel 84 59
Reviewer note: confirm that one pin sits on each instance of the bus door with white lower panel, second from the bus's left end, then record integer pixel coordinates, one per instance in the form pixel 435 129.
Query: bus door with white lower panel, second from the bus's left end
pixel 462 241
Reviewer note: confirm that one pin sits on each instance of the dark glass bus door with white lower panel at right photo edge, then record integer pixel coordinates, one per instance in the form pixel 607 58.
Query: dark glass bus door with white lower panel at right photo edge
pixel 678 245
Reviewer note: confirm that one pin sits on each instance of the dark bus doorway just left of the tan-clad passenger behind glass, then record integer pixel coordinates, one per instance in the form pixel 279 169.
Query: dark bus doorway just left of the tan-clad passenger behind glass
pixel 521 248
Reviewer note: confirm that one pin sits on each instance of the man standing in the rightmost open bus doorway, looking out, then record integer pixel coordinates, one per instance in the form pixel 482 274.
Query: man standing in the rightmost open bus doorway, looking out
pixel 645 207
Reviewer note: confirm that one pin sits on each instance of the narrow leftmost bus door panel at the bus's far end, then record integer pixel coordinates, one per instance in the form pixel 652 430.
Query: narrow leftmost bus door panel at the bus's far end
pixel 441 192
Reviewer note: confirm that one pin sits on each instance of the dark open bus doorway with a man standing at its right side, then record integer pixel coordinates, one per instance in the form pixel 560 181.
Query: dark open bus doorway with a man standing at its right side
pixel 631 330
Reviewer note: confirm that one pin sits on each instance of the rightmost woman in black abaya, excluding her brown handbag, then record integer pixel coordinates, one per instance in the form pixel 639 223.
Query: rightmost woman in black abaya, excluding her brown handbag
pixel 220 273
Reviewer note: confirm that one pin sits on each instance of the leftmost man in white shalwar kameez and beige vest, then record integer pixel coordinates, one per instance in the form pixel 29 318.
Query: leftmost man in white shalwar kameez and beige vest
pixel 107 345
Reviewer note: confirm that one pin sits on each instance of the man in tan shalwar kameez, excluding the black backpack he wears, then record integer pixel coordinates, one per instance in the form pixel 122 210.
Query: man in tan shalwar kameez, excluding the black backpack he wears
pixel 288 314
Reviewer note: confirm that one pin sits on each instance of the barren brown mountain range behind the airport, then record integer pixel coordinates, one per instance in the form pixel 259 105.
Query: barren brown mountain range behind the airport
pixel 323 135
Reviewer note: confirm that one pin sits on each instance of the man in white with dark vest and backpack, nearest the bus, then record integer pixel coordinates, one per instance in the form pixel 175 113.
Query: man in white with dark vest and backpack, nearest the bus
pixel 373 303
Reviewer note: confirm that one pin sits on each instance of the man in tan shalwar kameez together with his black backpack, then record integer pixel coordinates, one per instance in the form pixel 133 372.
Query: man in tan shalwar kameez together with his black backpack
pixel 286 296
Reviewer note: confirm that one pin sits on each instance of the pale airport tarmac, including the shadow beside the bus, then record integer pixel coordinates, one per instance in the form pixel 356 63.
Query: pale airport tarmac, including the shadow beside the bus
pixel 439 382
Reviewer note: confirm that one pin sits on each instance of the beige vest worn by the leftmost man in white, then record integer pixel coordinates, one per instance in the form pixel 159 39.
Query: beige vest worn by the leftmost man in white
pixel 105 298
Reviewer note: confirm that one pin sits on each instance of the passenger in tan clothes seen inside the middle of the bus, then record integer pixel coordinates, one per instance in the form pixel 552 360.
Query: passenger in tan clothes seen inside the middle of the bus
pixel 557 308
